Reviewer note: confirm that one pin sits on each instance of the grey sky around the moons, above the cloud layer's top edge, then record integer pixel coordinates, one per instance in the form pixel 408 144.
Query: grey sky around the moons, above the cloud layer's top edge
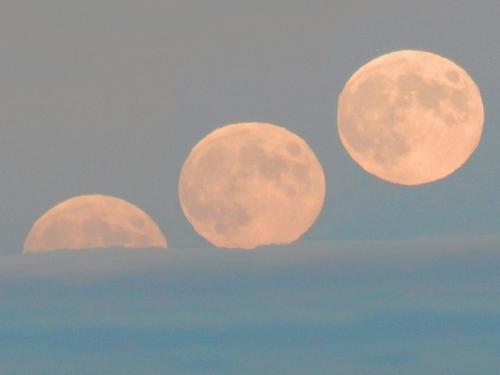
pixel 110 96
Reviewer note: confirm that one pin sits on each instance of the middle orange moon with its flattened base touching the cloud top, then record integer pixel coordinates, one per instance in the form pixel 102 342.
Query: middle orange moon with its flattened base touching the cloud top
pixel 251 184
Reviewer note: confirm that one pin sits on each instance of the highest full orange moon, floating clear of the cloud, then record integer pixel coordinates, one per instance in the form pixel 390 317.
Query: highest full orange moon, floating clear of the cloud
pixel 410 117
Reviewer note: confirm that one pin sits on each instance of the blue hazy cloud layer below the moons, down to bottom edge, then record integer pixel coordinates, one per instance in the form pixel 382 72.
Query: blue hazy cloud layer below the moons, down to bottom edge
pixel 417 306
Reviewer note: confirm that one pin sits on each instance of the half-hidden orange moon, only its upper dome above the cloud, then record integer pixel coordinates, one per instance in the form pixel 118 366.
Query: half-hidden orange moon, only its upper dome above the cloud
pixel 94 221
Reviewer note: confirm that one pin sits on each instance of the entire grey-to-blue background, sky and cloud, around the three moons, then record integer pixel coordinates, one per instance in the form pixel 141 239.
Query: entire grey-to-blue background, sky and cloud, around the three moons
pixel 109 97
